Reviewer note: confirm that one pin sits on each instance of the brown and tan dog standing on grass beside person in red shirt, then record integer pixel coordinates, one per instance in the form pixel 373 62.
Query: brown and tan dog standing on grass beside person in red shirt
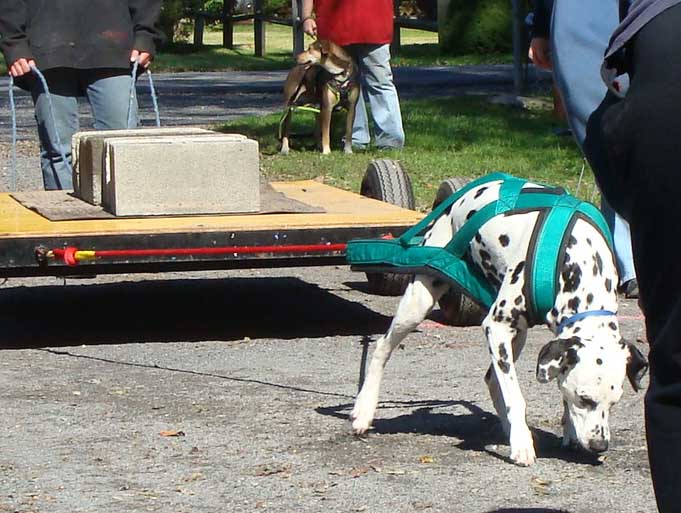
pixel 326 76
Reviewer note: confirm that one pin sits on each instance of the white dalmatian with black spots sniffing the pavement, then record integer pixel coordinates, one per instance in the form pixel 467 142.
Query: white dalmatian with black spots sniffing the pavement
pixel 589 359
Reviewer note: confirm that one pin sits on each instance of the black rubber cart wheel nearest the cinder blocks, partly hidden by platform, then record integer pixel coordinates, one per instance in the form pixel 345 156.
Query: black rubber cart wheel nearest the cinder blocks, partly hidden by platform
pixel 386 180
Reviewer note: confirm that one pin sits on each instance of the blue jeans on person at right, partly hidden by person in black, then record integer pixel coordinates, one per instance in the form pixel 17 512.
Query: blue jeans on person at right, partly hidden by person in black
pixel 580 31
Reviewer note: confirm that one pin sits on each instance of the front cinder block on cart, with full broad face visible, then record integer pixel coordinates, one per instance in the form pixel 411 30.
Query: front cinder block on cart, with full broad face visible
pixel 191 174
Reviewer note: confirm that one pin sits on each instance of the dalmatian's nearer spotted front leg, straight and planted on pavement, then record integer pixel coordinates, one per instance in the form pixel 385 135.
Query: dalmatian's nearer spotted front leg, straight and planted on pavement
pixel 500 335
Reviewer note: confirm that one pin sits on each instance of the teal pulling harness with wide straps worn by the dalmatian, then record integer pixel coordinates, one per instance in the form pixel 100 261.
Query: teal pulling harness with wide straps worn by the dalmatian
pixel 558 211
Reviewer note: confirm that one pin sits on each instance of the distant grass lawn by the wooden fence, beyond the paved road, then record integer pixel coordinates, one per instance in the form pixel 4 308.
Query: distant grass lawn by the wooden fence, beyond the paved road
pixel 419 48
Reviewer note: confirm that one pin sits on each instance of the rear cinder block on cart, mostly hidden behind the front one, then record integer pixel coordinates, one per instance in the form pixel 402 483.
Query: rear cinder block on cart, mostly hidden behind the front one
pixel 87 153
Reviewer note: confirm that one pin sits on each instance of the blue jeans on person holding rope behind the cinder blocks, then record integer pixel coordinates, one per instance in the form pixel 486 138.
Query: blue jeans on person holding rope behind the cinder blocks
pixel 107 91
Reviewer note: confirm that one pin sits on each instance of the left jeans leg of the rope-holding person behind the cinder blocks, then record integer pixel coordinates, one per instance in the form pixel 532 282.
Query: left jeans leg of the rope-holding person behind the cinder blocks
pixel 55 132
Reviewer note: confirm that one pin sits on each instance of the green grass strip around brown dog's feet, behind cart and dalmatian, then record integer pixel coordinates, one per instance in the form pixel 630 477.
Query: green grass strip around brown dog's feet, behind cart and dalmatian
pixel 456 136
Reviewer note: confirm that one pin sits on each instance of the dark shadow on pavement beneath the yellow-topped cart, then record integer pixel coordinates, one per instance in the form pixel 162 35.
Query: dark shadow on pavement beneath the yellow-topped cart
pixel 178 310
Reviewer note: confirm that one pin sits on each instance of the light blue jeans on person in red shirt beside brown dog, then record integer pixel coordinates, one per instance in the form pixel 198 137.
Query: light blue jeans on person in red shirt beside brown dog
pixel 376 80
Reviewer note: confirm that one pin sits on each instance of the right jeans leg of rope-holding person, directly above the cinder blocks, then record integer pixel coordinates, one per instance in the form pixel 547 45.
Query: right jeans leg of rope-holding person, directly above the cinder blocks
pixel 108 91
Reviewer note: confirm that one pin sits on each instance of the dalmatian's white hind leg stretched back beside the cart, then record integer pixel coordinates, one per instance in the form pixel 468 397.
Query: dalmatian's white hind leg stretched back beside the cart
pixel 418 300
